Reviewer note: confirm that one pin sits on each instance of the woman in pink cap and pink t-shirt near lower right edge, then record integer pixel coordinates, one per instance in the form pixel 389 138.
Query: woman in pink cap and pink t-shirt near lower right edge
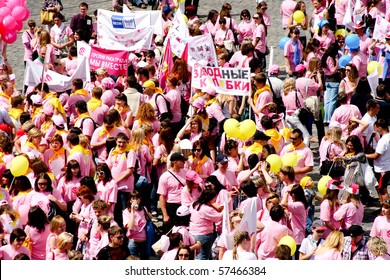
pixel 352 210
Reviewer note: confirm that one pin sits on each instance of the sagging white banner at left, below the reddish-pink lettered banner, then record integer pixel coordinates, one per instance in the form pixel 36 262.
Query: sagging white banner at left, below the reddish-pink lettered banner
pixel 55 81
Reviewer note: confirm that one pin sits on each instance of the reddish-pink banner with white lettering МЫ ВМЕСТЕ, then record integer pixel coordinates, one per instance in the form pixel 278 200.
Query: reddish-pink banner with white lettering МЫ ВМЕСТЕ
pixel 114 61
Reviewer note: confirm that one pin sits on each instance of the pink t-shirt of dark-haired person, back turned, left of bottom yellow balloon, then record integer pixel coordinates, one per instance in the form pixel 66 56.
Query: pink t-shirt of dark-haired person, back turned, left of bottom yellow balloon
pixel 268 239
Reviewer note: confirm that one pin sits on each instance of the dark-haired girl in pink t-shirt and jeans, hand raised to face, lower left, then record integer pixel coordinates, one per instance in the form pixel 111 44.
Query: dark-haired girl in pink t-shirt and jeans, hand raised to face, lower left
pixel 134 221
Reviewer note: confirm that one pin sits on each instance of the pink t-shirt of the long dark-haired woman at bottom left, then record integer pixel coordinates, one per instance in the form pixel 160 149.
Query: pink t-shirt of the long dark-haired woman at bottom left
pixel 38 241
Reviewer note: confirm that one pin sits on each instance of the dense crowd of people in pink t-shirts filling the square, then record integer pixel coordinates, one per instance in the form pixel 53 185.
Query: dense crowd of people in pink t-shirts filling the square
pixel 106 159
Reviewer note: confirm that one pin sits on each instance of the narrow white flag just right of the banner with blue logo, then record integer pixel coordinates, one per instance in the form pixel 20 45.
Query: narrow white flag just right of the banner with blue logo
pixel 178 32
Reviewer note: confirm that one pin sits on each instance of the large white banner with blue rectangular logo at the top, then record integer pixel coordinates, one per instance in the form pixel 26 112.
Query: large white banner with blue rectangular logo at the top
pixel 126 32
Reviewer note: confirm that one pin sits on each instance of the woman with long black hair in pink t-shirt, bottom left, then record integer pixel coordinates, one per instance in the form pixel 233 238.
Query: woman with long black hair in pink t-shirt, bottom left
pixel 37 229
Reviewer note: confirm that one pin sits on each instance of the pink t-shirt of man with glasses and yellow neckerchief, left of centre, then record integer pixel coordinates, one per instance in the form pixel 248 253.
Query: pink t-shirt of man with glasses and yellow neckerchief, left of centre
pixel 119 164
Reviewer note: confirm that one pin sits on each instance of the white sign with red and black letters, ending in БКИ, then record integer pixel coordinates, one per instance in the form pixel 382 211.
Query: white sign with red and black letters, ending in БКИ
pixel 232 81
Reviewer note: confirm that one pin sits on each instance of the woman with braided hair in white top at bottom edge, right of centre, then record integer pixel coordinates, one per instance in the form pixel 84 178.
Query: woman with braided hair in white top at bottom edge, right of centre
pixel 241 245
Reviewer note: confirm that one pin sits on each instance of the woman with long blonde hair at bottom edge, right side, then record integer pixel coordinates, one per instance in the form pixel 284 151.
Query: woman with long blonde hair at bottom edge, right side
pixel 331 248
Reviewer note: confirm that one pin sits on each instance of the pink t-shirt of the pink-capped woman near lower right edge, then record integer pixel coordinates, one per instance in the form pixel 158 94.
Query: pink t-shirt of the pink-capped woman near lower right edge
pixel 349 215
